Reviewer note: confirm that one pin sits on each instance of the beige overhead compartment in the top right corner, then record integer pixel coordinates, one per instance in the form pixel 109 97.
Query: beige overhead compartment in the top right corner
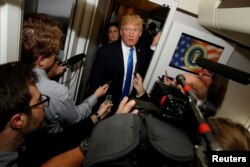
pixel 229 18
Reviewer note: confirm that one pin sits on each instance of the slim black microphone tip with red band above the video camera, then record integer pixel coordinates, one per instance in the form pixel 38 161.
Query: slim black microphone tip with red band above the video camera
pixel 186 88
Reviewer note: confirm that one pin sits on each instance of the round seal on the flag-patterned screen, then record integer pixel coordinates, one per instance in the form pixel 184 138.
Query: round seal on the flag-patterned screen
pixel 192 54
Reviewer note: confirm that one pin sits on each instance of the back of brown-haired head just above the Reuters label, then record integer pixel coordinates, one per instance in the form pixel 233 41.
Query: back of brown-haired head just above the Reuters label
pixel 228 134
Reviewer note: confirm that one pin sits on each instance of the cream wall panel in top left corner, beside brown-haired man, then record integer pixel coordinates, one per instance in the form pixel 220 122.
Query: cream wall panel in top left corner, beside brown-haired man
pixel 10 23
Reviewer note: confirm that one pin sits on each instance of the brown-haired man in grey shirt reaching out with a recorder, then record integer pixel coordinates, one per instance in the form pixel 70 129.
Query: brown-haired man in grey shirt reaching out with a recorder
pixel 41 41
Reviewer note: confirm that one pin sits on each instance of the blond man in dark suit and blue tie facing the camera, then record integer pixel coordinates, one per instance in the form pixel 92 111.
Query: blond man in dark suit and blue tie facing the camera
pixel 110 64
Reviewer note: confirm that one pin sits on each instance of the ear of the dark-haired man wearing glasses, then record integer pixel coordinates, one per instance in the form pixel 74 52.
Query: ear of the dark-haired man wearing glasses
pixel 18 120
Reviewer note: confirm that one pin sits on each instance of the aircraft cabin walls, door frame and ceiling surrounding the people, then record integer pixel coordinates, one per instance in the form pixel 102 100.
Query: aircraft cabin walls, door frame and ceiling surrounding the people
pixel 223 24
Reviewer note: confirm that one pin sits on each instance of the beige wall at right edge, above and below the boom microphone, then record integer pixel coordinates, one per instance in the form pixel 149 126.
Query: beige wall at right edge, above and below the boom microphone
pixel 236 103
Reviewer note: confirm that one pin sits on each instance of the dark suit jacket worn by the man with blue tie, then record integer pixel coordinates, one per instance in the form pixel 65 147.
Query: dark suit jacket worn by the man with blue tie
pixel 108 66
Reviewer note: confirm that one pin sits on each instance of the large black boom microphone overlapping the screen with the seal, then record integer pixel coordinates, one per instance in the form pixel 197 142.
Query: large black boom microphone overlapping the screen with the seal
pixel 225 71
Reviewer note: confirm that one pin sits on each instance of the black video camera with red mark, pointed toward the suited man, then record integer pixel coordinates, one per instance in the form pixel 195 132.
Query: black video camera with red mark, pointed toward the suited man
pixel 170 104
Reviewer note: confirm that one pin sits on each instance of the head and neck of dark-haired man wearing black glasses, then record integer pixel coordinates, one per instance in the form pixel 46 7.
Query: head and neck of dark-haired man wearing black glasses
pixel 21 109
